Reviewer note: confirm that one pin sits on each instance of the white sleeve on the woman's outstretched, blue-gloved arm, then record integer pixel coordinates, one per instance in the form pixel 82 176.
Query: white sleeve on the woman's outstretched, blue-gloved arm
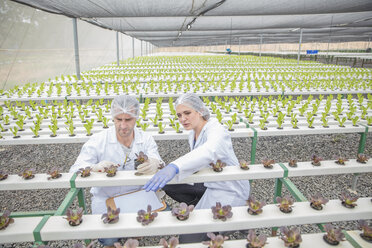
pixel 203 155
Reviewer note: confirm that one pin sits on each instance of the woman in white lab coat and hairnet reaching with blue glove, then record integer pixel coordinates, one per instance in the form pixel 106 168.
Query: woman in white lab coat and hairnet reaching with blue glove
pixel 209 141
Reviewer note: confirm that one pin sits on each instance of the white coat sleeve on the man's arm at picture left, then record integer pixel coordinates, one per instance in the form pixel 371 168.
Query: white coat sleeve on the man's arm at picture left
pixel 87 157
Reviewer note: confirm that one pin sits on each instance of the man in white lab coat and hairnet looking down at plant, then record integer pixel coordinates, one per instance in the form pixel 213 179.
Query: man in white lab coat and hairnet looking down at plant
pixel 118 145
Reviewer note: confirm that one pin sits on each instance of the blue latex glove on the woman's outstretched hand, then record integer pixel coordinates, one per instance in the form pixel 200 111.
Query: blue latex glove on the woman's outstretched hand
pixel 160 179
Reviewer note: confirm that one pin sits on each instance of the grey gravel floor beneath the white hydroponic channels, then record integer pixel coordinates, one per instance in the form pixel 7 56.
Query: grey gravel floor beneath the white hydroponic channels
pixel 42 157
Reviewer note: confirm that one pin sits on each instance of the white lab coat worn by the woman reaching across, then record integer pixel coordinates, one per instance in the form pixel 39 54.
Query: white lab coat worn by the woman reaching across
pixel 213 143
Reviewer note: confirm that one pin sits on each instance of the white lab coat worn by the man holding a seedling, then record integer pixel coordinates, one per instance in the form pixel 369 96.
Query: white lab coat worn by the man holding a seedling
pixel 105 146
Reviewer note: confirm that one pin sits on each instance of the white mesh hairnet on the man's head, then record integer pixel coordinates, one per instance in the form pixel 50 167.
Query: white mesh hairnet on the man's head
pixel 125 104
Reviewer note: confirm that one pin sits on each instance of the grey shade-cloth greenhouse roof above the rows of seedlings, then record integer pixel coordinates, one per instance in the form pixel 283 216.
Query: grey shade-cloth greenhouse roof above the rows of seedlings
pixel 219 22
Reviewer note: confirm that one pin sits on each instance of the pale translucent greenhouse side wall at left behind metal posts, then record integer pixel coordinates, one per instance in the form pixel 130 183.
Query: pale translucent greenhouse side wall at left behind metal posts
pixel 36 45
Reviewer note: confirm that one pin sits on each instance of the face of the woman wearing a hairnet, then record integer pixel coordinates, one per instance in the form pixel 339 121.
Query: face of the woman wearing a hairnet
pixel 188 117
